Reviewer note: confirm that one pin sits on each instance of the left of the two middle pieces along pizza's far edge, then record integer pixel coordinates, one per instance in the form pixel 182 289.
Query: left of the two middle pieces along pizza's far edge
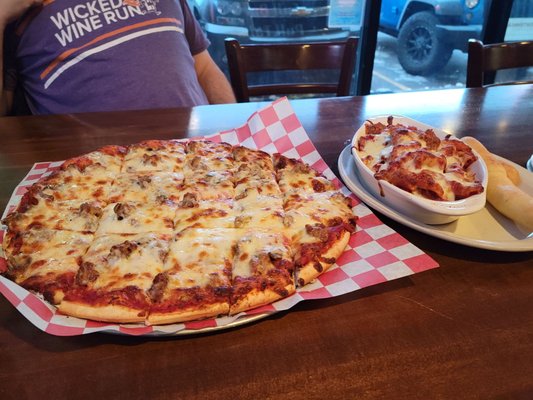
pixel 155 155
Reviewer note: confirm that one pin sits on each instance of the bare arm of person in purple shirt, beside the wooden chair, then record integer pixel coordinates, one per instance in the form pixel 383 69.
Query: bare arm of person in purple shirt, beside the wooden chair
pixel 213 81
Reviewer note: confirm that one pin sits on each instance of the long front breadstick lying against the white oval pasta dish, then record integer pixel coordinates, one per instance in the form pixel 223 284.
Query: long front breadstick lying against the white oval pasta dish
pixel 502 193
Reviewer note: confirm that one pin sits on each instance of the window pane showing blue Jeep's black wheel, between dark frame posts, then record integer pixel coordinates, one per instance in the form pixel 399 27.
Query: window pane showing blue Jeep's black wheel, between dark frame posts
pixel 422 45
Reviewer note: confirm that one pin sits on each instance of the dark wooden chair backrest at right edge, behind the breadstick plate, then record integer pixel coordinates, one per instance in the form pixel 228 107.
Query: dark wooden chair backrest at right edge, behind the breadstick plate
pixel 489 58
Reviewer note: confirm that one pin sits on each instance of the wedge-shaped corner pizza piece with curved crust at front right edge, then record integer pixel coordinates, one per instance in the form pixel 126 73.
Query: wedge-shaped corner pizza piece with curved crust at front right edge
pixel 320 226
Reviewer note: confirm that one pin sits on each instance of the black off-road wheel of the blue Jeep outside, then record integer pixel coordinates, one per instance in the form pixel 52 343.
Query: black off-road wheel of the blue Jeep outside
pixel 420 50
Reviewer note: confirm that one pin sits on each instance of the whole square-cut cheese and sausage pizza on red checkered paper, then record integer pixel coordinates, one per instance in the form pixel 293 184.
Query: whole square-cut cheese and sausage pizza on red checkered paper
pixel 167 231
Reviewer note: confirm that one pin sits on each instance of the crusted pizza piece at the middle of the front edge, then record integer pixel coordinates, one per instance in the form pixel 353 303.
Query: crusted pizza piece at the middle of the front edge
pixel 196 280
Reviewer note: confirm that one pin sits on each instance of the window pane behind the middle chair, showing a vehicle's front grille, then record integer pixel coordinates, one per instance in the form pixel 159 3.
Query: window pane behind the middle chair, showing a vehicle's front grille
pixel 263 21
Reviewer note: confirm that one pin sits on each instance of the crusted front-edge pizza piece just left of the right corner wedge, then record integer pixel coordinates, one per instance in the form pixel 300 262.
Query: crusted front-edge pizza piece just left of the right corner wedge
pixel 262 270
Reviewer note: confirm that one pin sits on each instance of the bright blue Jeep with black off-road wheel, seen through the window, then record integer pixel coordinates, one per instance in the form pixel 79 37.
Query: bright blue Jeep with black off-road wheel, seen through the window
pixel 429 30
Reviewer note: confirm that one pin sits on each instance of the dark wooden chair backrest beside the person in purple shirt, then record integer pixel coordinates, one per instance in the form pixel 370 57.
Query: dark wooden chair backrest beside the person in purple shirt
pixel 245 58
